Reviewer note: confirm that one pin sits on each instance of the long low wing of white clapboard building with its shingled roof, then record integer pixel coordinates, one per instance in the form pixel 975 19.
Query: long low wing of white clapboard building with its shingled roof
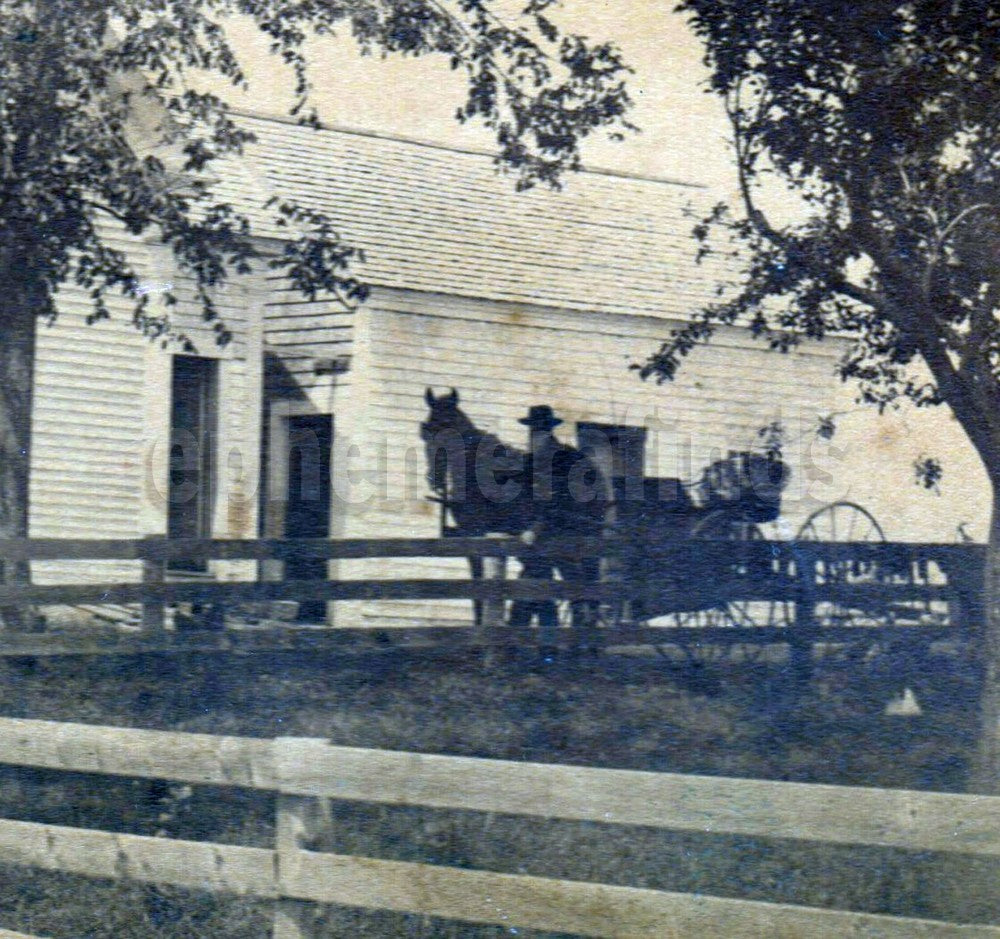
pixel 542 297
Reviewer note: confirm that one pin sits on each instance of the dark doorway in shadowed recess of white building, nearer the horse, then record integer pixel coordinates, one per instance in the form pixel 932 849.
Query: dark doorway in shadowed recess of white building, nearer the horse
pixel 307 511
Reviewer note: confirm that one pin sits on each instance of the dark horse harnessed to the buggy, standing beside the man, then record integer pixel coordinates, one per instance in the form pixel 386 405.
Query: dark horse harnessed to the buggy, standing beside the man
pixel 484 483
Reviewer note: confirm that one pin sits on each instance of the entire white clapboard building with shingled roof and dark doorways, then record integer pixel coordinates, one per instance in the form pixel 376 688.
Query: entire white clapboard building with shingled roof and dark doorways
pixel 514 299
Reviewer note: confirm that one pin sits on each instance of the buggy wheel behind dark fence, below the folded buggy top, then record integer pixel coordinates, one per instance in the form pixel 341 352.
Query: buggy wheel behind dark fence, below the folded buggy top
pixel 721 526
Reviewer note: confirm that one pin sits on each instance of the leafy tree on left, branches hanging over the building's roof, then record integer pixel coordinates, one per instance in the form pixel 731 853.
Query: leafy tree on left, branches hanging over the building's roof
pixel 75 73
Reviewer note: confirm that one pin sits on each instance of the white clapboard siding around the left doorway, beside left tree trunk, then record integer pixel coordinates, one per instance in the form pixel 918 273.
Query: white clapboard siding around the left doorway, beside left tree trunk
pixel 101 414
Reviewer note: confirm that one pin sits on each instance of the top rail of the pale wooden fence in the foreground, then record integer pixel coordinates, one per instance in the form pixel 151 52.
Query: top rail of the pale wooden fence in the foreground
pixel 309 767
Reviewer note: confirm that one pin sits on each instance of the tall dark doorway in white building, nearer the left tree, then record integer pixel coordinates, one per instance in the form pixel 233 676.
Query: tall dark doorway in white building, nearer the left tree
pixel 192 456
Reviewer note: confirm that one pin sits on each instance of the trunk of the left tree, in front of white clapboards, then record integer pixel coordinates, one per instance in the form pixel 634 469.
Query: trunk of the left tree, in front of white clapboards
pixel 19 306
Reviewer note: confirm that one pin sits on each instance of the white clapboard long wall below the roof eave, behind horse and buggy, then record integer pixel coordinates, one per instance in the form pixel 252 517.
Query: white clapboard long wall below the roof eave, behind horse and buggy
pixel 503 358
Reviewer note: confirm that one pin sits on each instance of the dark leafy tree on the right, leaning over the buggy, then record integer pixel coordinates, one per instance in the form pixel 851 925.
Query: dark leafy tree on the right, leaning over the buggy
pixel 884 118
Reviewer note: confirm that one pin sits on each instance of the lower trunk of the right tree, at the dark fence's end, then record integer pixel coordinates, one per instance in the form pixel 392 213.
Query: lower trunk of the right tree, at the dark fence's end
pixel 985 771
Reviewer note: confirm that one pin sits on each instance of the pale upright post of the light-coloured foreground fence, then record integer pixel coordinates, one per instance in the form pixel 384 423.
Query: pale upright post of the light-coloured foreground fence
pixel 299 820
